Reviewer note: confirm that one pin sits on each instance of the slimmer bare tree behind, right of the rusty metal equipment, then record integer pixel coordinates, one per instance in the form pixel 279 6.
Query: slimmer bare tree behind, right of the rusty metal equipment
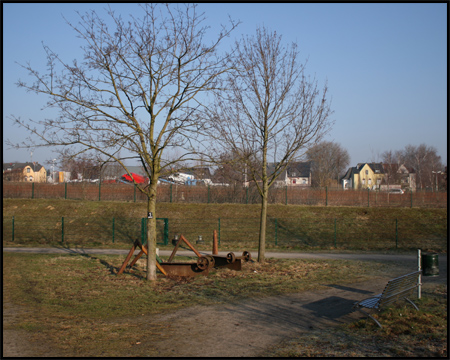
pixel 269 103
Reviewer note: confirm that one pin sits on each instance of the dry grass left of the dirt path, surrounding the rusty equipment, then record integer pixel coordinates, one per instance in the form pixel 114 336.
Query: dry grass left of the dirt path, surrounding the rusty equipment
pixel 79 307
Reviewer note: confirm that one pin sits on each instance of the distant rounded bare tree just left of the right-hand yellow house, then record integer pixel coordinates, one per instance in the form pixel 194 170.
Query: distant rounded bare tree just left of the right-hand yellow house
pixel 329 161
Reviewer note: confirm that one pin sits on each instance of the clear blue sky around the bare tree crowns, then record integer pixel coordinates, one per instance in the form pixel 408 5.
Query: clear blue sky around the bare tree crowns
pixel 386 65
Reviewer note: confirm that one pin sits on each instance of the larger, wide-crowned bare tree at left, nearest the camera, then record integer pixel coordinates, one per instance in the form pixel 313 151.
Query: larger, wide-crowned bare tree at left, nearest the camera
pixel 136 90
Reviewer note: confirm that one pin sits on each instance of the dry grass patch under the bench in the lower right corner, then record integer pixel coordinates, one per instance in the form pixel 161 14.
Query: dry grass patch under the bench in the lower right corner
pixel 406 333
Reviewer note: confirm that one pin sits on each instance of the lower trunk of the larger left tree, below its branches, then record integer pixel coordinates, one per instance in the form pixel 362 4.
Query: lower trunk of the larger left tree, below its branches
pixel 151 233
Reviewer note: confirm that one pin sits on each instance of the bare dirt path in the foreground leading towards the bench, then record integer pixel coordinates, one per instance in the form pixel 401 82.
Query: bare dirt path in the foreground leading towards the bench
pixel 248 328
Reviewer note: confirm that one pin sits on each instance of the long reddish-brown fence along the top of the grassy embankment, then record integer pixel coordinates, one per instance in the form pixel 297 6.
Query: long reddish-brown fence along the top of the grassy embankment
pixel 222 194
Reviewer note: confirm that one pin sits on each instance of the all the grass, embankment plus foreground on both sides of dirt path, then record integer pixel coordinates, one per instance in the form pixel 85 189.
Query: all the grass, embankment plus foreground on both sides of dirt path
pixel 77 306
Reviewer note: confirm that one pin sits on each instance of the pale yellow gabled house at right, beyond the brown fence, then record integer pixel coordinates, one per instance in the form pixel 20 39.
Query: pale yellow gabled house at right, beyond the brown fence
pixel 363 176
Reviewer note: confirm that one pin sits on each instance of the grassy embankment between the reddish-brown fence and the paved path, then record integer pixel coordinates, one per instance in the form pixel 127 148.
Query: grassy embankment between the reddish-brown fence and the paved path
pixel 42 222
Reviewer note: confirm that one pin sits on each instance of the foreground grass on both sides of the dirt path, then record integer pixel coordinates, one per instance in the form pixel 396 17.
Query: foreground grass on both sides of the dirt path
pixel 75 305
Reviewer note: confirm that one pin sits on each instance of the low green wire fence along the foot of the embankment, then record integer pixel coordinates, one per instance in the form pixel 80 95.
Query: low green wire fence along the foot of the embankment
pixel 282 233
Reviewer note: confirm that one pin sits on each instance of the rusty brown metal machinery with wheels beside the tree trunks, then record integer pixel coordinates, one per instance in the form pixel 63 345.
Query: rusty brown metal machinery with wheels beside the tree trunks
pixel 202 266
